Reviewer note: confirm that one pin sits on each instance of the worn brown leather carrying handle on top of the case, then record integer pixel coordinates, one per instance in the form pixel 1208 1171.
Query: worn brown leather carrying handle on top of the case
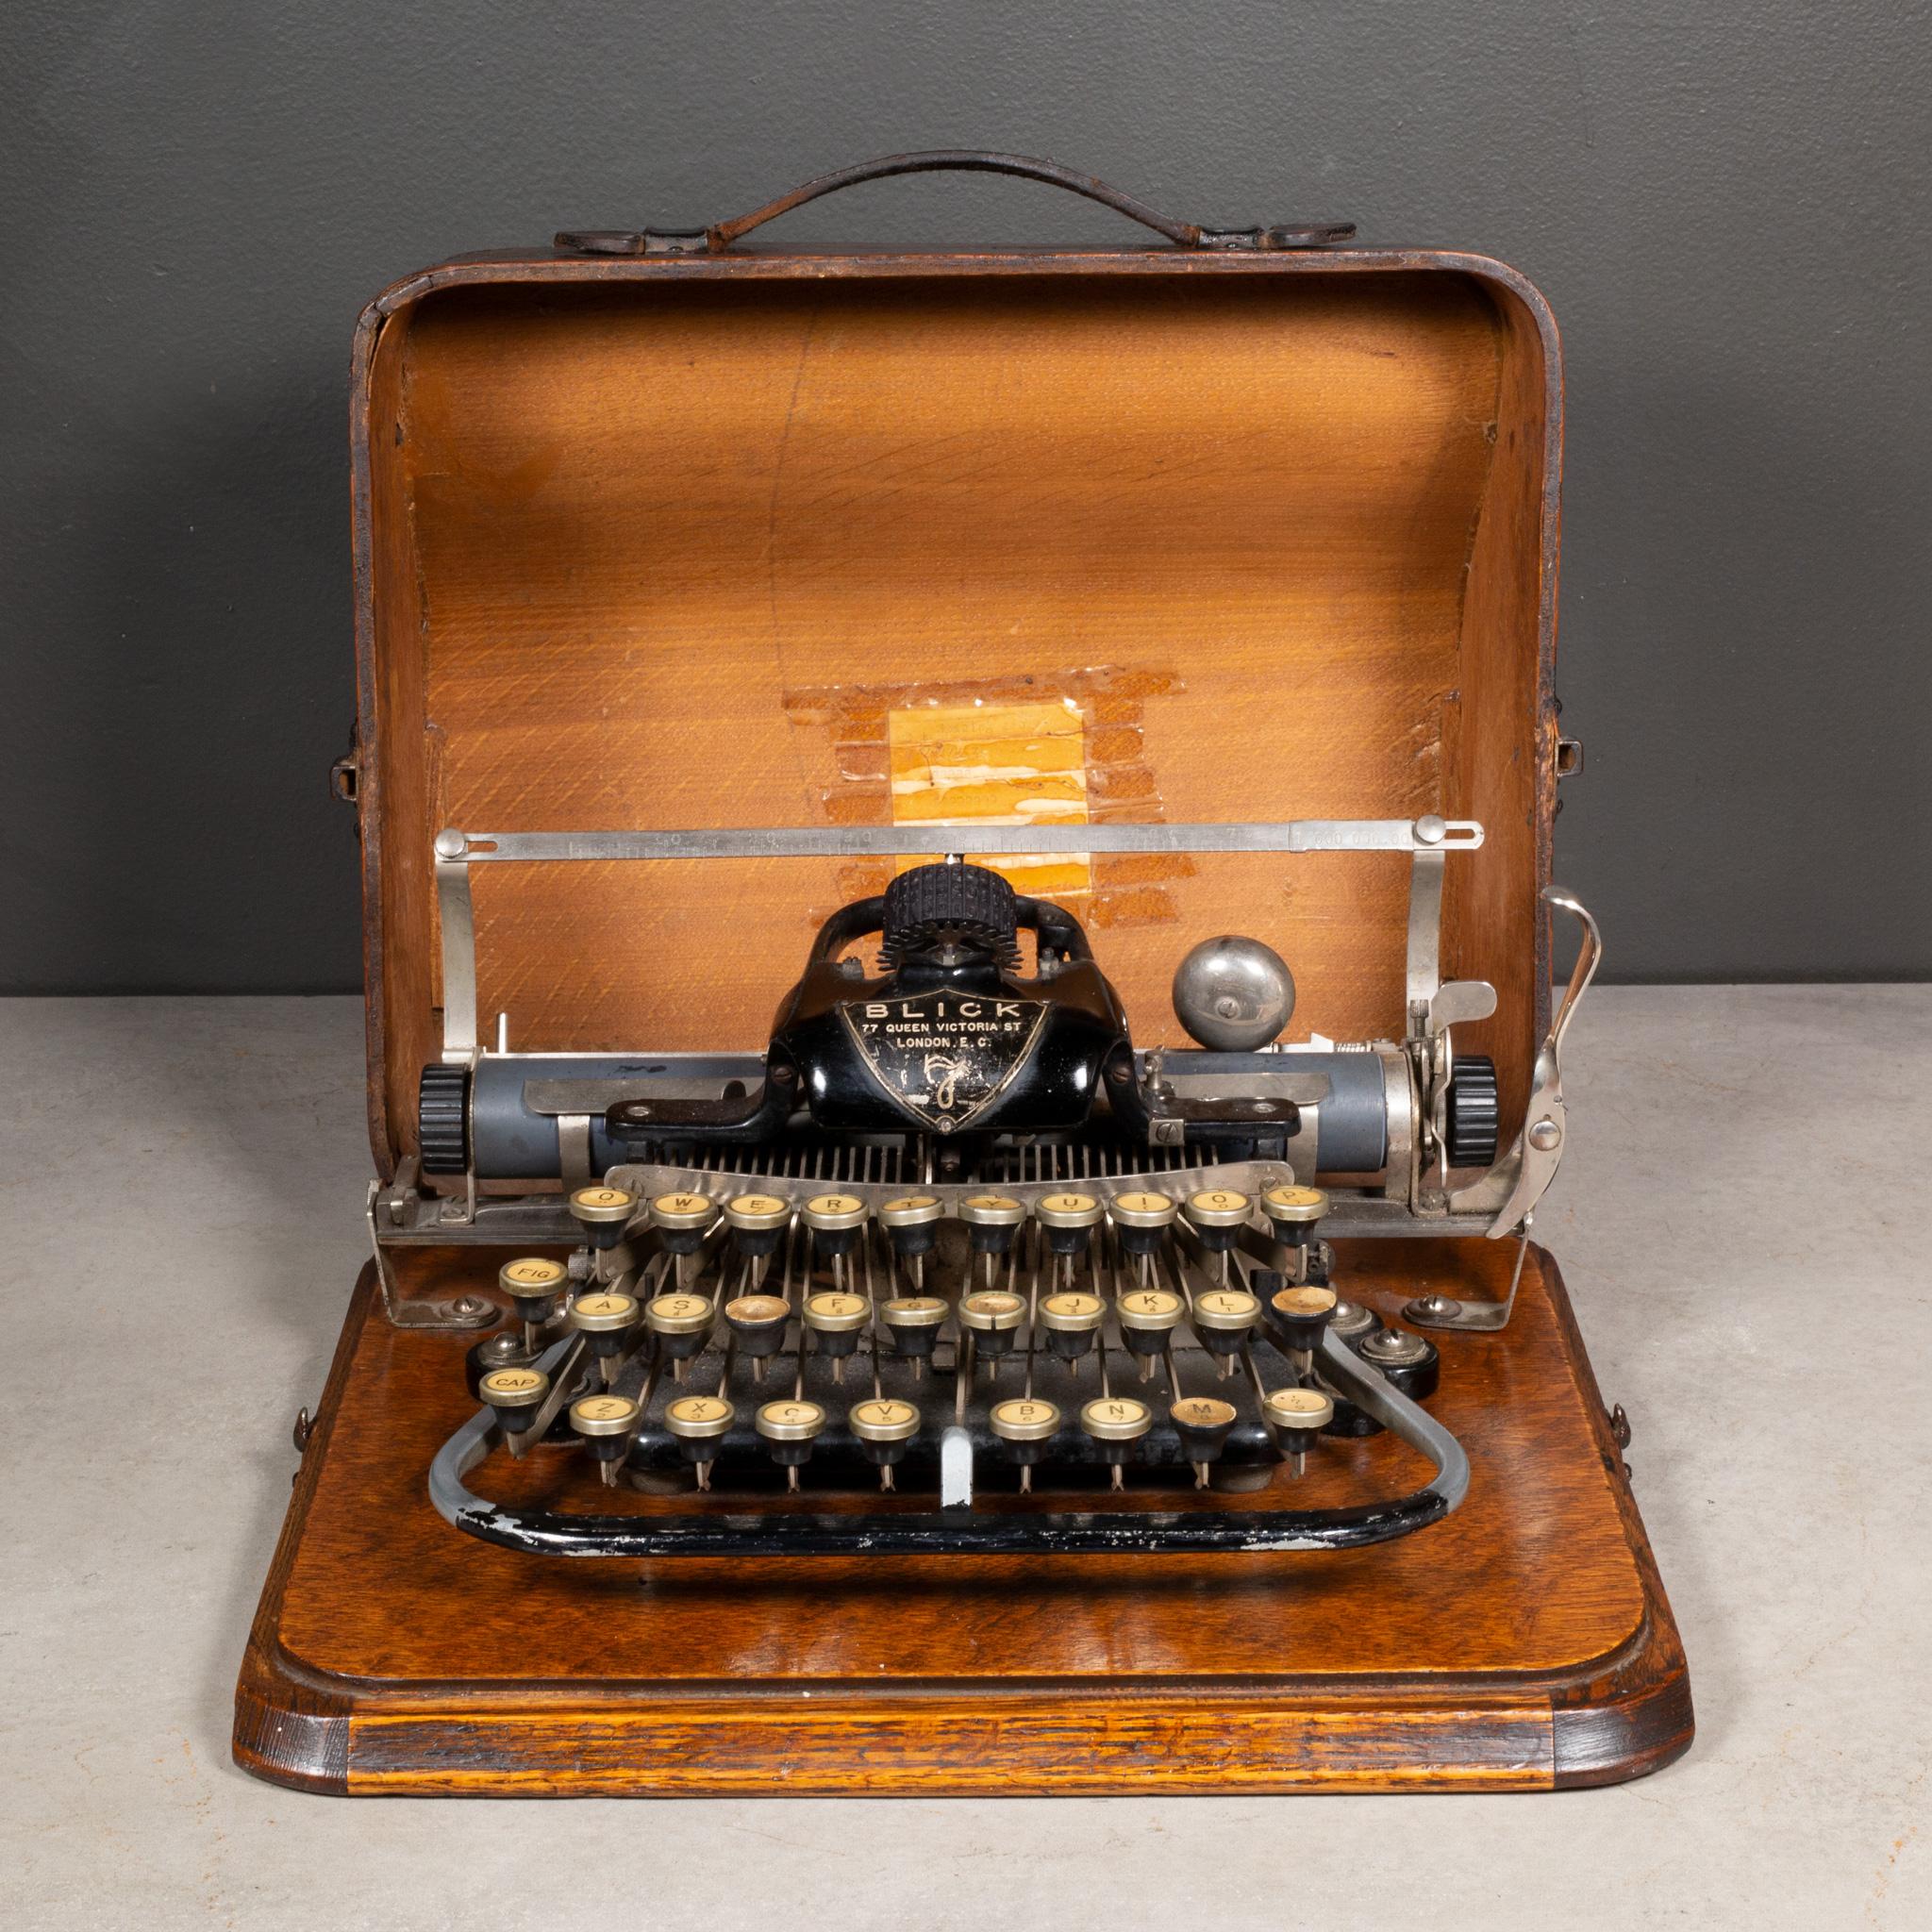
pixel 720 237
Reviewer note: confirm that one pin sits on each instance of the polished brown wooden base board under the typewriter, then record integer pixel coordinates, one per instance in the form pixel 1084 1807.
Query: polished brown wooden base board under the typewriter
pixel 1521 1645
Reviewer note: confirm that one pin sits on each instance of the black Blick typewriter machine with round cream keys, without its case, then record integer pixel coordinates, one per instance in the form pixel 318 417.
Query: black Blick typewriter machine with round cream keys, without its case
pixel 953 1266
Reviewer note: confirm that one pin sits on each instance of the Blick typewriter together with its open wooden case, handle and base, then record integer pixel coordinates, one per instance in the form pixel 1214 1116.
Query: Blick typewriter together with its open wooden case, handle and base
pixel 963 1038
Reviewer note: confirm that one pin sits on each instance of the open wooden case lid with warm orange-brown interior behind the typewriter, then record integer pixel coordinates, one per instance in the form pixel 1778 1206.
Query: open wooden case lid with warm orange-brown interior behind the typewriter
pixel 650 550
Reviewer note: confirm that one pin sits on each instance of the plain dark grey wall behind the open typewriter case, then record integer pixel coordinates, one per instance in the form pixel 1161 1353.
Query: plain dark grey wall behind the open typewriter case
pixel 1726 202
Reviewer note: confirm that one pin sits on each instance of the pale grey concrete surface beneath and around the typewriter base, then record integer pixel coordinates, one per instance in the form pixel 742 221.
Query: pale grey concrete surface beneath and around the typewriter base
pixel 1736 1222
